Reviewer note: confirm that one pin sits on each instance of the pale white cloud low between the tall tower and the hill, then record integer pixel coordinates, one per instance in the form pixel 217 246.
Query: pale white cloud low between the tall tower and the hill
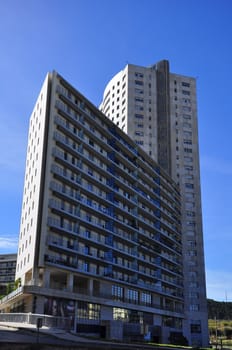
pixel 219 285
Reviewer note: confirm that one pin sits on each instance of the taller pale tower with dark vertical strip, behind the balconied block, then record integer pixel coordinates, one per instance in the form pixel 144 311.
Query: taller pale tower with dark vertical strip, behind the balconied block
pixel 158 110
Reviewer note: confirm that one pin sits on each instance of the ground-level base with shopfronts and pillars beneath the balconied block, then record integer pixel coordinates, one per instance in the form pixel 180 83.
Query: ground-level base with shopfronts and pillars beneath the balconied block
pixel 98 307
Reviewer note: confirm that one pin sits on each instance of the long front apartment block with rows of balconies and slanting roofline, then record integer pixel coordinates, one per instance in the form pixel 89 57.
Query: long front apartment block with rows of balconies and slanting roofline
pixel 100 238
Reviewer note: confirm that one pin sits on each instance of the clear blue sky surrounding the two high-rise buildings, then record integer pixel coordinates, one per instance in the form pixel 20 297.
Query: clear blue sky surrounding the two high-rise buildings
pixel 88 41
